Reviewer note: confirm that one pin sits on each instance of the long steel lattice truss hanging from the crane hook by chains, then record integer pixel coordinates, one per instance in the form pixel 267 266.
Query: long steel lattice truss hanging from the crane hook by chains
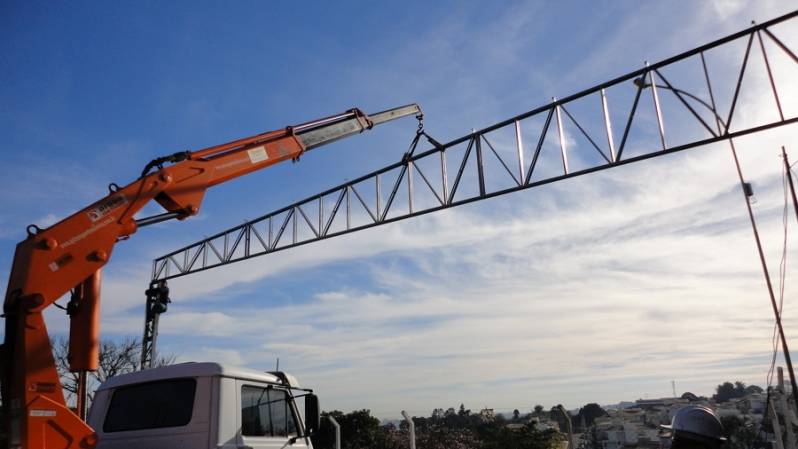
pixel 615 123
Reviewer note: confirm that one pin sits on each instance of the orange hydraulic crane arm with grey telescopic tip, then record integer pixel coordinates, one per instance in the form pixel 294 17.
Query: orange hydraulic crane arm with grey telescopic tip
pixel 69 255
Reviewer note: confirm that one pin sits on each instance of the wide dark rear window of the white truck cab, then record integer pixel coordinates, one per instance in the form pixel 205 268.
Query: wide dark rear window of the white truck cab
pixel 151 405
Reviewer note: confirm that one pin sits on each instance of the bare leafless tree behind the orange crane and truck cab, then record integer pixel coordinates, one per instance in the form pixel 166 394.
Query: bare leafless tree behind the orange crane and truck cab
pixel 115 358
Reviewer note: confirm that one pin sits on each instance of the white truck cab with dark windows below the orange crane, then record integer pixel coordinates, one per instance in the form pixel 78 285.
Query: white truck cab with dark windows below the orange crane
pixel 203 405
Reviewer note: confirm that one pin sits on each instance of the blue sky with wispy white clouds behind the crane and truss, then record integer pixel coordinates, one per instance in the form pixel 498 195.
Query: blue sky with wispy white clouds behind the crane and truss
pixel 603 288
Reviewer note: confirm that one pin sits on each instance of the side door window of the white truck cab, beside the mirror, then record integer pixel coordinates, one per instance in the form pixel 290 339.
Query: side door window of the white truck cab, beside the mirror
pixel 266 412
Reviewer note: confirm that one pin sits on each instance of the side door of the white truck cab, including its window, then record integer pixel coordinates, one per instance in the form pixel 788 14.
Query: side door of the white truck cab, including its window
pixel 267 418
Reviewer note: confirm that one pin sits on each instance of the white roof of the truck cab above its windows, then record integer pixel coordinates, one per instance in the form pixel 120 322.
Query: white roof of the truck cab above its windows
pixel 194 369
